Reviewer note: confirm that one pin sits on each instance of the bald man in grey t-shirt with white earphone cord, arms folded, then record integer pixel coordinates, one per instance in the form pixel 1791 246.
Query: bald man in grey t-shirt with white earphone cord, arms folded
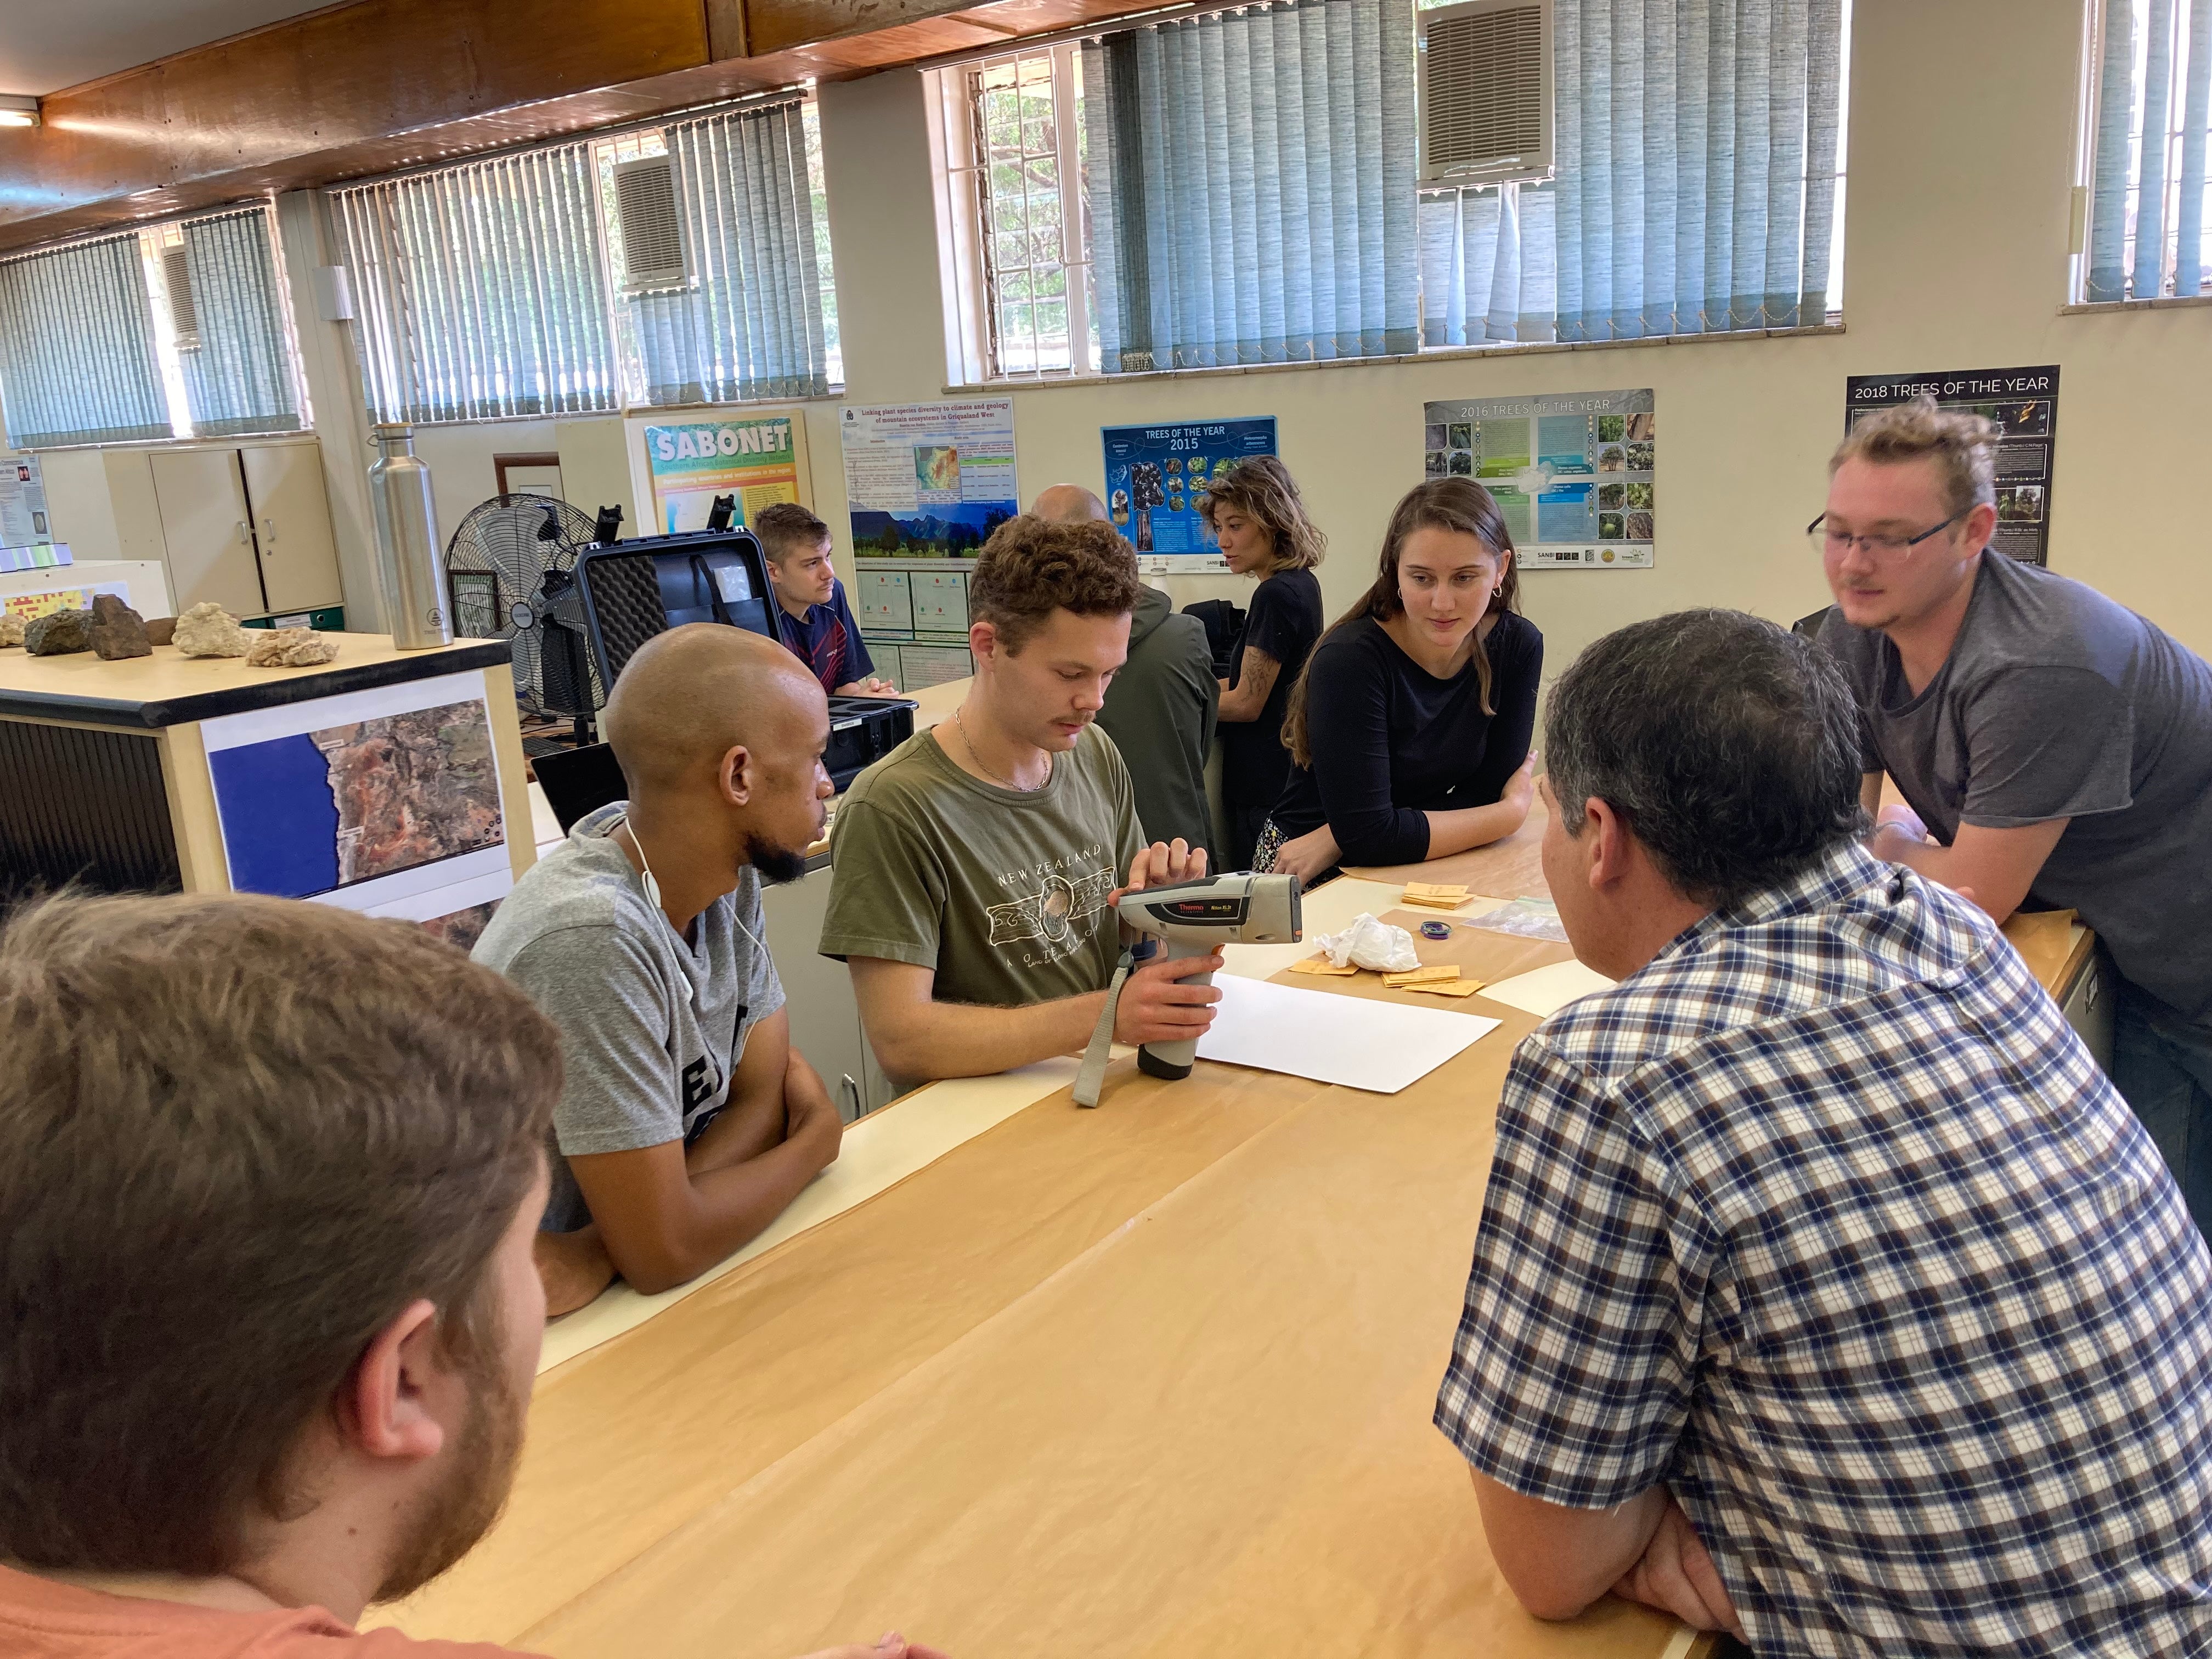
pixel 687 1120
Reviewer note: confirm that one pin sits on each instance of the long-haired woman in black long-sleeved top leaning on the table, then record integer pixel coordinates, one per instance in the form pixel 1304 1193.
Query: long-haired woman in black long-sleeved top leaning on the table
pixel 1410 727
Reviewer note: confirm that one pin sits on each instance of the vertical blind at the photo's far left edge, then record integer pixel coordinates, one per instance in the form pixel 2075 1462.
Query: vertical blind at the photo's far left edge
pixel 79 351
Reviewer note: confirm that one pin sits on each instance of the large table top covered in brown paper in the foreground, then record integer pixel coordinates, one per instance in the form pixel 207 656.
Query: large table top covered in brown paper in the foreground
pixel 1142 1381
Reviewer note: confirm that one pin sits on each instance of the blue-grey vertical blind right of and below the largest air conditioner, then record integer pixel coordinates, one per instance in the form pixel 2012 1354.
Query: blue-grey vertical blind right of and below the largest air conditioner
pixel 1698 174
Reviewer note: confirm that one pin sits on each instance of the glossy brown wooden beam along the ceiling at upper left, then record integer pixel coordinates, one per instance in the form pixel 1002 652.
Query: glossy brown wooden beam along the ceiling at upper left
pixel 384 85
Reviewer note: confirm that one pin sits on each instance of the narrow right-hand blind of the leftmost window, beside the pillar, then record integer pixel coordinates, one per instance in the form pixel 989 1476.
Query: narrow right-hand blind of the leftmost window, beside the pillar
pixel 238 375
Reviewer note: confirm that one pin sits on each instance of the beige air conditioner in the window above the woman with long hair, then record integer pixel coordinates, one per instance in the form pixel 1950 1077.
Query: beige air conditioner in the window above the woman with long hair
pixel 1485 92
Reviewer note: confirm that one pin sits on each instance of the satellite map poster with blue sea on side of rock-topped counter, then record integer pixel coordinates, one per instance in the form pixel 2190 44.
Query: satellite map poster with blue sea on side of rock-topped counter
pixel 386 802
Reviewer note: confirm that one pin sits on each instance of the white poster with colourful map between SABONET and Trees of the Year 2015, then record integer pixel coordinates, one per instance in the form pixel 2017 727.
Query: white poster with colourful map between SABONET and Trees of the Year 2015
pixel 928 481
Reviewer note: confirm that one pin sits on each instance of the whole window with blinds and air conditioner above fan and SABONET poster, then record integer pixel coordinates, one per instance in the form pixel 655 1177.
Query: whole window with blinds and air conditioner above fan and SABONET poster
pixel 508 286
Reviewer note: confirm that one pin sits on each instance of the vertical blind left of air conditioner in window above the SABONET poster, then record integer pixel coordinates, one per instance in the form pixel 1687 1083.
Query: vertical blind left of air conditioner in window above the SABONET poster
pixel 483 289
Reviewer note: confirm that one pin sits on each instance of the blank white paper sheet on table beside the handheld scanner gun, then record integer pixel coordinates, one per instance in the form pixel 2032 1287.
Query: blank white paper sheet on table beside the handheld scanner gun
pixel 1335 1039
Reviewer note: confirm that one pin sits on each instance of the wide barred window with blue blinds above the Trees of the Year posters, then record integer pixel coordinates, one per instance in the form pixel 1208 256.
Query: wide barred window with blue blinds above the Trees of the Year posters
pixel 1249 191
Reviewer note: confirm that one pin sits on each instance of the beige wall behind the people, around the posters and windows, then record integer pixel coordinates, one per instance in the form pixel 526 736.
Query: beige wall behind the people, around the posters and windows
pixel 1957 216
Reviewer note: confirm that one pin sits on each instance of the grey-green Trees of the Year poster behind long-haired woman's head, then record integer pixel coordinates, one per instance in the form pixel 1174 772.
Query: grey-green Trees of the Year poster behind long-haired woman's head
pixel 1574 474
